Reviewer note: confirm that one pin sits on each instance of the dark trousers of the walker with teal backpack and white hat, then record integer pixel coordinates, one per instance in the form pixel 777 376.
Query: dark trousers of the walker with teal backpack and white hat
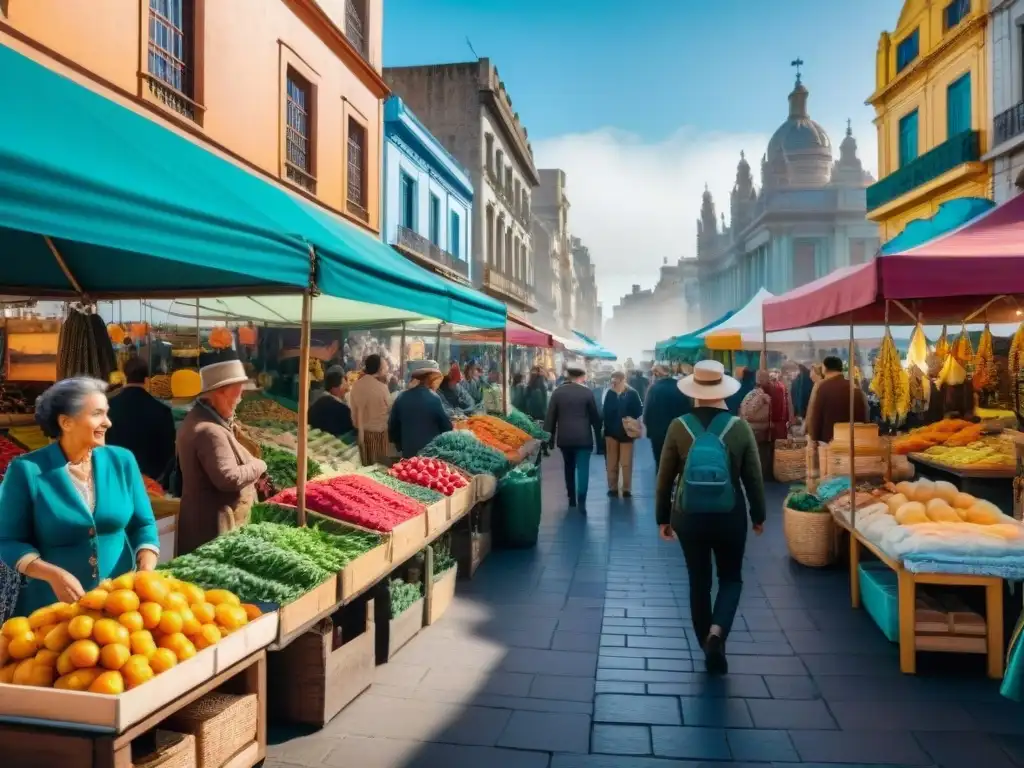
pixel 724 538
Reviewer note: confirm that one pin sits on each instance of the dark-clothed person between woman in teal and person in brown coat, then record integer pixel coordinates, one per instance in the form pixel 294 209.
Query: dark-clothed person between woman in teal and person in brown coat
pixel 143 424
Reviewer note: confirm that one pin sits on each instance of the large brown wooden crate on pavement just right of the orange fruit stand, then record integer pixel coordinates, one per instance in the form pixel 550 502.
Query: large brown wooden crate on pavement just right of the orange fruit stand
pixel 314 679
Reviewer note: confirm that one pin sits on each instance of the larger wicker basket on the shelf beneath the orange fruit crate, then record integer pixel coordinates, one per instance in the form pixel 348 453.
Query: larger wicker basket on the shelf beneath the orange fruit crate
pixel 222 723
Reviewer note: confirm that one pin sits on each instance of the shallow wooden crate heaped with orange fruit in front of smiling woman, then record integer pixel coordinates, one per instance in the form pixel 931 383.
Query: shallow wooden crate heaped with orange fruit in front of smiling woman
pixel 124 650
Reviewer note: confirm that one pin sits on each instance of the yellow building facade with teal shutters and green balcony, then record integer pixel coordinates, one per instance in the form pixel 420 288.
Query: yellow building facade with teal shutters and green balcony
pixel 932 112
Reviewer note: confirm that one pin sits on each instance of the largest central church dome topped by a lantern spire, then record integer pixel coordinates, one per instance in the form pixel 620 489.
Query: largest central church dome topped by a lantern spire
pixel 800 152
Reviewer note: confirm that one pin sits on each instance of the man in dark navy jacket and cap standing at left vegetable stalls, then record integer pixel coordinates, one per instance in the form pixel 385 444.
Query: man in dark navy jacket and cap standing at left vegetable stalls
pixel 418 416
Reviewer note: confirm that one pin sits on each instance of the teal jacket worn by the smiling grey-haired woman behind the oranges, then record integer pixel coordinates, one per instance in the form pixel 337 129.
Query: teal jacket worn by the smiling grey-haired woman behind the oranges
pixel 42 513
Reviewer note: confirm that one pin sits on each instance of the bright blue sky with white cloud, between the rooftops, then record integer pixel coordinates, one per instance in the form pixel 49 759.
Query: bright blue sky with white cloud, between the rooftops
pixel 643 103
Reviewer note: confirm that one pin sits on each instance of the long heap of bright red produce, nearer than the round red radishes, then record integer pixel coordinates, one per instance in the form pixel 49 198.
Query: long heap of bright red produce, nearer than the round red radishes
pixel 357 500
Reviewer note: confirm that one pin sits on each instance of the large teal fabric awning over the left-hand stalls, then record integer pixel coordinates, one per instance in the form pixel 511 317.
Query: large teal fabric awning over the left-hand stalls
pixel 135 209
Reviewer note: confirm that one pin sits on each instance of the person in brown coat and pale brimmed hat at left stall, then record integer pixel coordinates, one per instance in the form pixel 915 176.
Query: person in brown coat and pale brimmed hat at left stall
pixel 219 475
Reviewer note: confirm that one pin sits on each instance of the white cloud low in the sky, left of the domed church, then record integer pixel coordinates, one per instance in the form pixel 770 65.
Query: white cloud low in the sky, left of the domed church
pixel 635 203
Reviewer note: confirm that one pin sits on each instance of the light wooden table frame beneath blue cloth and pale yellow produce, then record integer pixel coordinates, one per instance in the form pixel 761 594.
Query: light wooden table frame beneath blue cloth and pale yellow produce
pixel 910 643
